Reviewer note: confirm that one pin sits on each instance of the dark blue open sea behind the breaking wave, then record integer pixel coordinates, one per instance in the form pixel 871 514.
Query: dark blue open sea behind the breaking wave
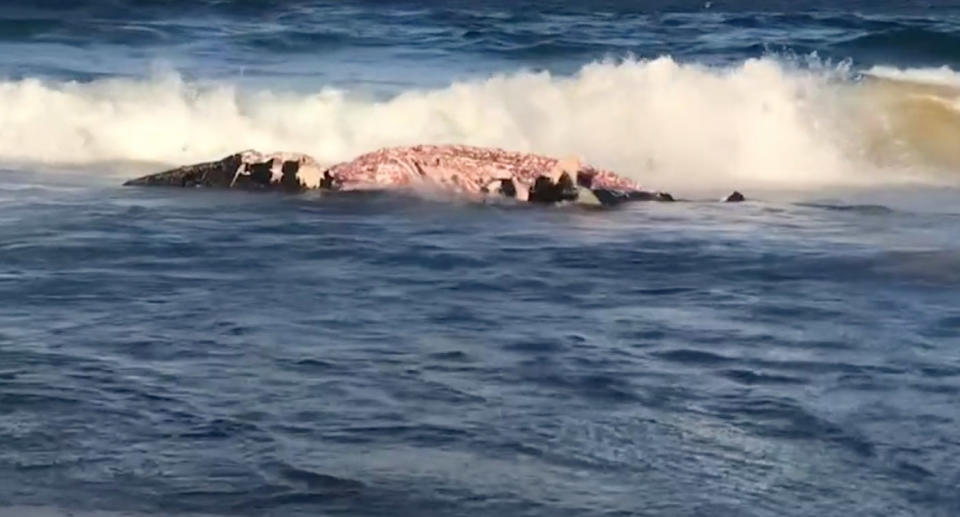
pixel 417 42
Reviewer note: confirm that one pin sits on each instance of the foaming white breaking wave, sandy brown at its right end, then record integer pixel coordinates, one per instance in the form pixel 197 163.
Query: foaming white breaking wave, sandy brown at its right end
pixel 764 122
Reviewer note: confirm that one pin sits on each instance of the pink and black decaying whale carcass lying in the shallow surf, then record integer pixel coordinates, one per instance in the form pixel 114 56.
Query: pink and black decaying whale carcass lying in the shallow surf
pixel 474 172
